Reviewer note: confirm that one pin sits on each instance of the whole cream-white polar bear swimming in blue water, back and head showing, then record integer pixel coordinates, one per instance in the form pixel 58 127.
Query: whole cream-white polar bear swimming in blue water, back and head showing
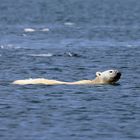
pixel 106 77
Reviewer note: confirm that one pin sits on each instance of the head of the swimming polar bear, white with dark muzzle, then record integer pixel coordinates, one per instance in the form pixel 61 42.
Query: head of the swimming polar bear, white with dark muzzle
pixel 109 76
